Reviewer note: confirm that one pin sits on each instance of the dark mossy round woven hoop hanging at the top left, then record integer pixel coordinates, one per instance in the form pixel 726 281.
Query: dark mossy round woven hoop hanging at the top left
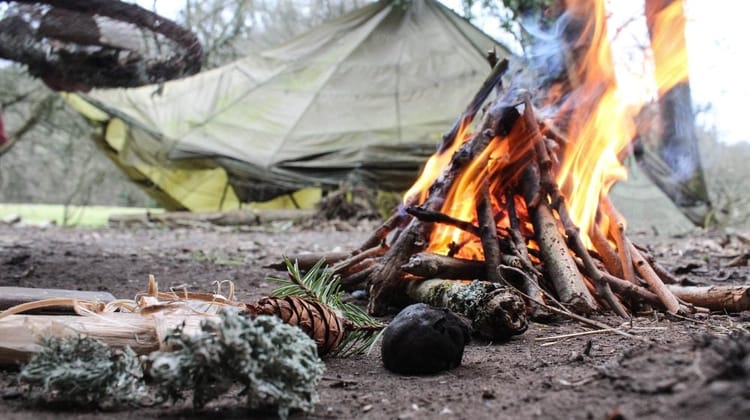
pixel 74 45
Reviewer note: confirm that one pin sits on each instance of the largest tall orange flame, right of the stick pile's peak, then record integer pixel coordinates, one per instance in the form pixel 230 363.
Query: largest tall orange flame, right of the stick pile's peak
pixel 602 125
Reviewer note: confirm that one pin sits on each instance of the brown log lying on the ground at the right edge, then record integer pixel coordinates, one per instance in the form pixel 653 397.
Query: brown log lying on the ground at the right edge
pixel 714 298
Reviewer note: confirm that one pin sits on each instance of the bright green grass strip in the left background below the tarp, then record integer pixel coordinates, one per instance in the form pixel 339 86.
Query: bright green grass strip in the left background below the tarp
pixel 90 216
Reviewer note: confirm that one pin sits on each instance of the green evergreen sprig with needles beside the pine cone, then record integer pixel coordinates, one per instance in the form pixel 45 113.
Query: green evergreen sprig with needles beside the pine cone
pixel 321 285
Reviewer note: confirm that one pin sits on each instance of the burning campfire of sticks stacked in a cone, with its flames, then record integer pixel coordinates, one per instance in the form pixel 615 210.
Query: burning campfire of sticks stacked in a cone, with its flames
pixel 521 200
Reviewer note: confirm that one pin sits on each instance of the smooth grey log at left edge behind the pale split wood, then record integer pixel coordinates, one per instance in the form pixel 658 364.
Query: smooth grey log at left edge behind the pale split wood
pixel 12 296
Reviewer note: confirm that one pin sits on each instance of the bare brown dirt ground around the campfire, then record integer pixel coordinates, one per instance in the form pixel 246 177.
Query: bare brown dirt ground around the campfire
pixel 675 368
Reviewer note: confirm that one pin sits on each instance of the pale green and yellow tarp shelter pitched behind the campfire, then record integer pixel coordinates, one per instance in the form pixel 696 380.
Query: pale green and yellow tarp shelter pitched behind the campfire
pixel 363 98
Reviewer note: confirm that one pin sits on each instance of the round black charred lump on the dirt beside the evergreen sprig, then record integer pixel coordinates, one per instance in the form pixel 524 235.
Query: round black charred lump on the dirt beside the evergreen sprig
pixel 422 340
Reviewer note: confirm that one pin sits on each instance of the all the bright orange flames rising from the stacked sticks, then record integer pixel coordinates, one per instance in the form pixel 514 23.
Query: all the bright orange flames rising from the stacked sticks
pixel 599 121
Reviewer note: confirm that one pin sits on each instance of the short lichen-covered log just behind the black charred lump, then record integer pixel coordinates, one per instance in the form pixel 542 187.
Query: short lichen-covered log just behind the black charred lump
pixel 495 311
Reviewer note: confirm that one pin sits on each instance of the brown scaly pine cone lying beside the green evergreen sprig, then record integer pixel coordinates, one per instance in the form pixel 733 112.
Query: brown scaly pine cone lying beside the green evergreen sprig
pixel 316 319
